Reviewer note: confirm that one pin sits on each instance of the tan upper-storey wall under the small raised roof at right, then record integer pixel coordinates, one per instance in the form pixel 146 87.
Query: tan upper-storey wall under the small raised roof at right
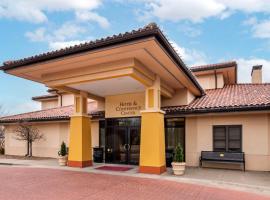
pixel 208 81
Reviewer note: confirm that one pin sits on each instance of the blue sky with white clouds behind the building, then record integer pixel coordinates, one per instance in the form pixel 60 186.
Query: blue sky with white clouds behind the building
pixel 202 32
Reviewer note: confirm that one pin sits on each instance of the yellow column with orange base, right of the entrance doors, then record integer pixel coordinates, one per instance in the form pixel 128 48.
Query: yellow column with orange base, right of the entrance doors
pixel 152 147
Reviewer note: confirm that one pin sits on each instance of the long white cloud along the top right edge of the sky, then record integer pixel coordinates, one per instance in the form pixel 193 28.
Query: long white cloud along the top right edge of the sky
pixel 199 10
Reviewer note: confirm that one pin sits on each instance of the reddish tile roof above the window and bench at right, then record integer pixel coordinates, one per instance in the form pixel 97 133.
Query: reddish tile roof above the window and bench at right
pixel 237 97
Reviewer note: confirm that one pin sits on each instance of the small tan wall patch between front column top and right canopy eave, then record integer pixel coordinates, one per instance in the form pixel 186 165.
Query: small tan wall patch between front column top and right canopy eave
pixel 181 97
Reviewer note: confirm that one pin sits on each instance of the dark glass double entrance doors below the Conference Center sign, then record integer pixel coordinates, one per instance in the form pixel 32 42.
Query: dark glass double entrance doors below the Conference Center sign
pixel 122 140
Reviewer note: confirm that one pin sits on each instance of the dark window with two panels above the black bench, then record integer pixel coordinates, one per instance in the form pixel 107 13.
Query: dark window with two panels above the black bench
pixel 227 138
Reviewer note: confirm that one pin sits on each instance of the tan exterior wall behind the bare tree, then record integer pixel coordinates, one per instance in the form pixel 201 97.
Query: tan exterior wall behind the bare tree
pixel 54 134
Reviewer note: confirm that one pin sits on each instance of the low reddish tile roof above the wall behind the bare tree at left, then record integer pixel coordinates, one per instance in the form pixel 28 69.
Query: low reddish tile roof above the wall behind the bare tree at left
pixel 60 113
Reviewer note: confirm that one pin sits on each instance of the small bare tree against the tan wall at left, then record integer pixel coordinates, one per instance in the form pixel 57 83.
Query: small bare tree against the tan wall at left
pixel 28 133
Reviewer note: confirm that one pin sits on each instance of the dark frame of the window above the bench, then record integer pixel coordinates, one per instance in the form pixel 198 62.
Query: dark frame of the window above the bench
pixel 227 127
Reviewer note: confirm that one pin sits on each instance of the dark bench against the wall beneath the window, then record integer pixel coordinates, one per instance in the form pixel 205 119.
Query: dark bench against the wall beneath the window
pixel 223 157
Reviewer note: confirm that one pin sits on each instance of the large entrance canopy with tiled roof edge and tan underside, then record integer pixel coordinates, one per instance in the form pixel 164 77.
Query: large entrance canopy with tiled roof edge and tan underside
pixel 125 63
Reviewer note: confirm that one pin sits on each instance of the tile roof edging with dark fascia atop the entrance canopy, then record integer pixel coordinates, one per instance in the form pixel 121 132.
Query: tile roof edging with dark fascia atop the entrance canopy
pixel 150 30
